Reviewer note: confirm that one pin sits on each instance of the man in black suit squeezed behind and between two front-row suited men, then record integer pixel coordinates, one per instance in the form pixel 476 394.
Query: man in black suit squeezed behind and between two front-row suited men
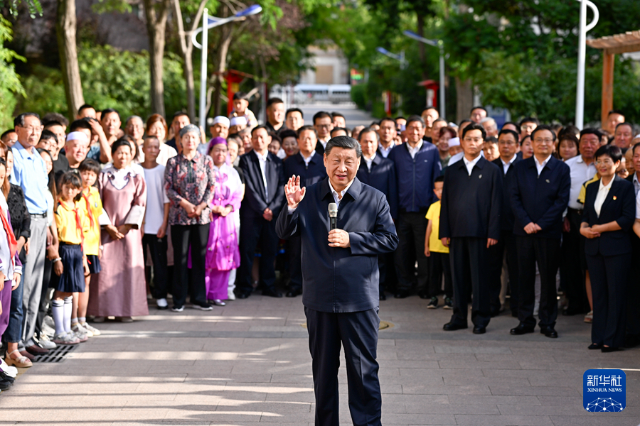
pixel 508 147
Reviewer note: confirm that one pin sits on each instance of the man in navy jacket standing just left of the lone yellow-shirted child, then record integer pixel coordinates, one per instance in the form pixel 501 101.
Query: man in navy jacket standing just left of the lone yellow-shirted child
pixel 417 164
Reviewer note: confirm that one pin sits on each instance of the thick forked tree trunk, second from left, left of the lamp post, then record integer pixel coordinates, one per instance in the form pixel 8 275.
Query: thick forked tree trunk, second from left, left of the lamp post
pixel 156 16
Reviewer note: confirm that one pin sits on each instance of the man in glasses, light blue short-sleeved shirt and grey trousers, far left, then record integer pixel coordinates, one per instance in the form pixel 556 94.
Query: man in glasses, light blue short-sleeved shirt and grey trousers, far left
pixel 30 174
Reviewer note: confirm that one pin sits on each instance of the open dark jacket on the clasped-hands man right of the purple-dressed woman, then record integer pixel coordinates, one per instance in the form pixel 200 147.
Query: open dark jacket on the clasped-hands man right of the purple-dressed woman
pixel 255 201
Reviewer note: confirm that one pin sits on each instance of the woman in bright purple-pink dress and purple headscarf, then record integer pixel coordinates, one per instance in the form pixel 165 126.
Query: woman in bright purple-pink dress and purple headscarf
pixel 222 248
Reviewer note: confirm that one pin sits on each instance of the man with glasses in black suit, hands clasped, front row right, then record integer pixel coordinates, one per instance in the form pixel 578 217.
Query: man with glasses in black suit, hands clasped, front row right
pixel 539 196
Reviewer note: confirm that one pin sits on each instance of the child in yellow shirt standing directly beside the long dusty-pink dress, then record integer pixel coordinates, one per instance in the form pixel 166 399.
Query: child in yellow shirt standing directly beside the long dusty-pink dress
pixel 92 207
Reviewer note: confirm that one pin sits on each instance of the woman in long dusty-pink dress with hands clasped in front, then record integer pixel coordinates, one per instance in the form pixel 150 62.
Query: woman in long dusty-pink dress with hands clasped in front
pixel 119 290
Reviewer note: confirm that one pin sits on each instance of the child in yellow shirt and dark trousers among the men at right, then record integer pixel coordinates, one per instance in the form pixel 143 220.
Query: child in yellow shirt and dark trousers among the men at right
pixel 437 253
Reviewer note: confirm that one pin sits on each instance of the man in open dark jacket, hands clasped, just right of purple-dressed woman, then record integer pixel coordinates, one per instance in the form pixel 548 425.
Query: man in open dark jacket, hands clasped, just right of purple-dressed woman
pixel 264 197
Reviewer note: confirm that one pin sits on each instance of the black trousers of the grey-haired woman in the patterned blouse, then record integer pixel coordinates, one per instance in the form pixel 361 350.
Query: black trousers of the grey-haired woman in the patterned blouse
pixel 183 237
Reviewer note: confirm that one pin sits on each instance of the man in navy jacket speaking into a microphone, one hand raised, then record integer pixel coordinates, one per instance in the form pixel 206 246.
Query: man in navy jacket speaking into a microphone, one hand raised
pixel 340 274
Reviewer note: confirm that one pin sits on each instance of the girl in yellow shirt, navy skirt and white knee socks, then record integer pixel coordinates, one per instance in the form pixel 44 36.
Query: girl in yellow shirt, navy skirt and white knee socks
pixel 71 266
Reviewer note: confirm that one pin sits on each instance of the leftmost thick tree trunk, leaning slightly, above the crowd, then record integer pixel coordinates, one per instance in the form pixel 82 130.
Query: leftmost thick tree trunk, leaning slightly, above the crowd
pixel 66 33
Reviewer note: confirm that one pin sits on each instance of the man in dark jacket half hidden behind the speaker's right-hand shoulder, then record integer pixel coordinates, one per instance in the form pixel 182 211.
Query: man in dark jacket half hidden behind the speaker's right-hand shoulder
pixel 380 172
